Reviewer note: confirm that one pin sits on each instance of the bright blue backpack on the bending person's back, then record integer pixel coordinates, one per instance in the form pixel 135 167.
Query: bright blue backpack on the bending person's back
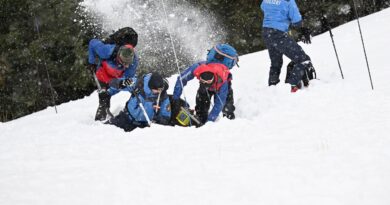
pixel 223 53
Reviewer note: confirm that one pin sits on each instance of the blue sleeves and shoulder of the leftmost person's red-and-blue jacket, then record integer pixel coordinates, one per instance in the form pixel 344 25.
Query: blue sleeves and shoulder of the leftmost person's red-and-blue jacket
pixel 97 49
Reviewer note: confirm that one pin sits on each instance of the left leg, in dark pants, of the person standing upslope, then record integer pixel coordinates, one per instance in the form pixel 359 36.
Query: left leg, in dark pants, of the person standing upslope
pixel 276 56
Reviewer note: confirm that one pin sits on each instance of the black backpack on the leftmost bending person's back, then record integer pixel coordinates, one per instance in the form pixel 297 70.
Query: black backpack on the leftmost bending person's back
pixel 126 35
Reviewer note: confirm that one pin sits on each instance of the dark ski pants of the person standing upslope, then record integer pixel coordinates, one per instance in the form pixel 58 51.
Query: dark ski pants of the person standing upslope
pixel 280 43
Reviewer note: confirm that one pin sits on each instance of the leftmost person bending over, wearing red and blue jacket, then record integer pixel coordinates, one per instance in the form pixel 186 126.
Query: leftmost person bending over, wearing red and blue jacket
pixel 109 62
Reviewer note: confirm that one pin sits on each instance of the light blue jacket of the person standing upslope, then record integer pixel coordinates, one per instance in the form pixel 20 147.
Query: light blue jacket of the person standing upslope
pixel 279 14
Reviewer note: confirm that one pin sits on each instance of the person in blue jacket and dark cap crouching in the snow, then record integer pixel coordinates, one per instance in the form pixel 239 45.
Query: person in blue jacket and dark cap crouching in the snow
pixel 148 103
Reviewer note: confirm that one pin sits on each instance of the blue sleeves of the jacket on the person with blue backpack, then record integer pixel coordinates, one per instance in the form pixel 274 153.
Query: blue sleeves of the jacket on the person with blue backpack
pixel 219 98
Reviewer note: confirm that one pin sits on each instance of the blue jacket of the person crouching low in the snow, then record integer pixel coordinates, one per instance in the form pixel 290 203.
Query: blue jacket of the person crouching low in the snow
pixel 148 100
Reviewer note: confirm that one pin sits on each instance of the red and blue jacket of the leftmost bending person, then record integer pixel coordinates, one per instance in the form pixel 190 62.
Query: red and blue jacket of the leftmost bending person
pixel 108 69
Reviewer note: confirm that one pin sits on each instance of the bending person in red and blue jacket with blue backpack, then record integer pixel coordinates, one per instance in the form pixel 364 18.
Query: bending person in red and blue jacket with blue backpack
pixel 214 80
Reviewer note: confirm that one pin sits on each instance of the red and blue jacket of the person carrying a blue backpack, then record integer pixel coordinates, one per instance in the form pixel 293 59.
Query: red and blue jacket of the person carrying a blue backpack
pixel 220 86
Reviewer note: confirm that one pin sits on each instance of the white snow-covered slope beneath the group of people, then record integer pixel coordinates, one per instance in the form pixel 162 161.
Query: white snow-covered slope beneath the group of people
pixel 328 144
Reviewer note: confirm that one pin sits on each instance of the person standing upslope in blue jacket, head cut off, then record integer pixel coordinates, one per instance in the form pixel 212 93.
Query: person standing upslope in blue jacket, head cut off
pixel 278 16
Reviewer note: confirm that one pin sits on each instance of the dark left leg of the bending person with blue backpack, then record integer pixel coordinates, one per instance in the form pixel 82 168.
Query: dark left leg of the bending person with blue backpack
pixel 202 104
